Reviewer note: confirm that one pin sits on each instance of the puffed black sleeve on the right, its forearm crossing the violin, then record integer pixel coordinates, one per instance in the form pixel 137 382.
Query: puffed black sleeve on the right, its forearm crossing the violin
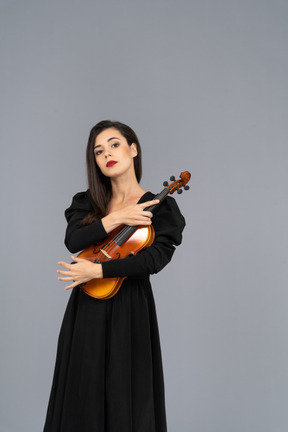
pixel 168 224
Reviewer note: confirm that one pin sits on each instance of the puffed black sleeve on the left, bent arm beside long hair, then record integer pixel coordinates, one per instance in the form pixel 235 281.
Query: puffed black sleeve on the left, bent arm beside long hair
pixel 78 237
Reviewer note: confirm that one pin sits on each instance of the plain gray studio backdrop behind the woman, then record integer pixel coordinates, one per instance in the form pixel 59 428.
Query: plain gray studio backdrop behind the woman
pixel 204 85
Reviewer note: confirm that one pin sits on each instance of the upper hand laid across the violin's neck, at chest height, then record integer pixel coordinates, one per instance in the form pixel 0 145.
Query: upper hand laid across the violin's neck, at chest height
pixel 132 214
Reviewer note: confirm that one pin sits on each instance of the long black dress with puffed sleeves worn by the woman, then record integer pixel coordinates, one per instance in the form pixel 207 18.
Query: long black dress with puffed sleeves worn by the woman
pixel 108 375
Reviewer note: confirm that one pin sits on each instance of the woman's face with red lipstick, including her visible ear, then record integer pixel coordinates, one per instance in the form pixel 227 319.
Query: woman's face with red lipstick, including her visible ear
pixel 113 154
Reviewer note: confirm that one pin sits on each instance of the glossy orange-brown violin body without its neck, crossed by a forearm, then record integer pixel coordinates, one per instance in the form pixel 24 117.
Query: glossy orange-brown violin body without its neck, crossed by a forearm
pixel 106 288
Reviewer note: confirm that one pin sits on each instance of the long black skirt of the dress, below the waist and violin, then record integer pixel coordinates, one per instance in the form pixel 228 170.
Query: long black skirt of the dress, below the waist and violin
pixel 108 375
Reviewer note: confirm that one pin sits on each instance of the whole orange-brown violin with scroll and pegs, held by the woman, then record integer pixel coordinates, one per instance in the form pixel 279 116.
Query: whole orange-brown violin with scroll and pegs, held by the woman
pixel 123 241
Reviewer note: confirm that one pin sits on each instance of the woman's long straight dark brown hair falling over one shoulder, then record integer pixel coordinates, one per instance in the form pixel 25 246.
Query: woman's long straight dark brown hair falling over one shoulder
pixel 100 190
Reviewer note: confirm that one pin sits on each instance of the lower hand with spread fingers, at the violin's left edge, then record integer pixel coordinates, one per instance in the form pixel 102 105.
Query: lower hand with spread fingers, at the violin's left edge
pixel 81 271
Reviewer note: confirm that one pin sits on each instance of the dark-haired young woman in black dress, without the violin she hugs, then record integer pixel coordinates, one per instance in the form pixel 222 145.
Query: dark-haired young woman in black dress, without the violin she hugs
pixel 108 374
